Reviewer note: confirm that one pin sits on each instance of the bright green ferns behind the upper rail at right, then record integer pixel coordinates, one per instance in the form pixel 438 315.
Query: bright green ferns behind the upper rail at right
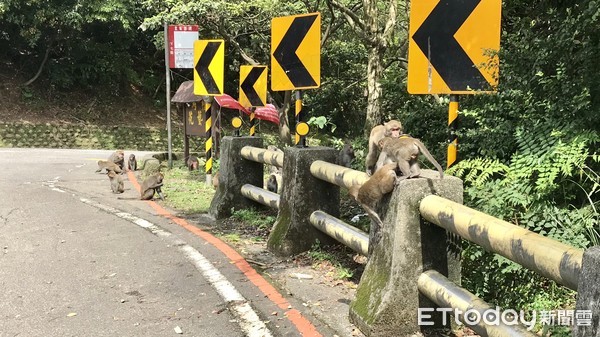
pixel 548 181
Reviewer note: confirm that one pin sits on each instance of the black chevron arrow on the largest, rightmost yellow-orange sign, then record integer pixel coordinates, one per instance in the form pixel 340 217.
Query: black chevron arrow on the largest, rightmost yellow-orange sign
pixel 436 39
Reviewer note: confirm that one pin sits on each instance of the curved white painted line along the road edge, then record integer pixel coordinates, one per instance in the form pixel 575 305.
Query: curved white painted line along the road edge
pixel 248 319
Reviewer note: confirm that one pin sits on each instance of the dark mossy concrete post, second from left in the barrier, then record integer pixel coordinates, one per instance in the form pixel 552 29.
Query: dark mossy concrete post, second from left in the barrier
pixel 302 194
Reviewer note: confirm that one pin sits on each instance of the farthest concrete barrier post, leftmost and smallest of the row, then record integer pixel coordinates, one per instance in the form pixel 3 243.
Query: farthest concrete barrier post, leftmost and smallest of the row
pixel 235 172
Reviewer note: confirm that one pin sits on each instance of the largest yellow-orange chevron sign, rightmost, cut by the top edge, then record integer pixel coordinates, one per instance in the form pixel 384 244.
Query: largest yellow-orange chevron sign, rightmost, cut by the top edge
pixel 453 46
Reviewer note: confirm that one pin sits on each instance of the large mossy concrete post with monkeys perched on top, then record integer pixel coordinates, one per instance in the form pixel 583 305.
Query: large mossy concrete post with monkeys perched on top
pixel 387 298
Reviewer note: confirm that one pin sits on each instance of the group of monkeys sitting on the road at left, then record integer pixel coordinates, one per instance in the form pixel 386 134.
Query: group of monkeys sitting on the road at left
pixel 115 167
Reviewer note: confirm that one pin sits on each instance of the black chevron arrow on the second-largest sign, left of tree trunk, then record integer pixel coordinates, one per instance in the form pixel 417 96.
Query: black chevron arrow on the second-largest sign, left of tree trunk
pixel 285 54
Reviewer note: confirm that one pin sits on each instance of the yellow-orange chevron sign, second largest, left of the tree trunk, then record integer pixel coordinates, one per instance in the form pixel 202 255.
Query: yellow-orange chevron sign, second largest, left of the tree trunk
pixel 296 52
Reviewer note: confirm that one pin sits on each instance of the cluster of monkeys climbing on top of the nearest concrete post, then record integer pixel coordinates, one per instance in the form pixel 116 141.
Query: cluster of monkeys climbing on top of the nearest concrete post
pixel 391 152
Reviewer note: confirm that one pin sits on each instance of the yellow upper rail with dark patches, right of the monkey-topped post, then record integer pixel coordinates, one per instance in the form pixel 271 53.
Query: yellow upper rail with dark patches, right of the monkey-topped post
pixel 548 257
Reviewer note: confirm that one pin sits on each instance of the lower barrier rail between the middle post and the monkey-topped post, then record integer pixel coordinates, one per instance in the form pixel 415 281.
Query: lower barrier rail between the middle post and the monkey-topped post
pixel 346 234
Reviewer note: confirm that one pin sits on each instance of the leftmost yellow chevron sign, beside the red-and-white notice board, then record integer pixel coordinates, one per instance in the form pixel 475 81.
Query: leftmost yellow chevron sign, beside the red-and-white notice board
pixel 209 67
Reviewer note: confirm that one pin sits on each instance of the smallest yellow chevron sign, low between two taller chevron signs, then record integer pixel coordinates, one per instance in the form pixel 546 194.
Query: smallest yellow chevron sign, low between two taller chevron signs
pixel 253 86
